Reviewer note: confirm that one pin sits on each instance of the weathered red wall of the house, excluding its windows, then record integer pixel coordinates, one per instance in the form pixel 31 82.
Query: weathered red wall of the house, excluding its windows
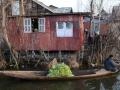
pixel 47 40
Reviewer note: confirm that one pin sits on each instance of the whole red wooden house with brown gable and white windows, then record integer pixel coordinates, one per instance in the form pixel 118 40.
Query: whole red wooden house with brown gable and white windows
pixel 41 27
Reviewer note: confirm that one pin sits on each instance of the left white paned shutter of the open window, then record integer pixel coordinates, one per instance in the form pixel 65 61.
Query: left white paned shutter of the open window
pixel 27 25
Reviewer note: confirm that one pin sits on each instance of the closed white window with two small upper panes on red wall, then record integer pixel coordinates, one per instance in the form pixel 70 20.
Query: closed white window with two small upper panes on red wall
pixel 64 29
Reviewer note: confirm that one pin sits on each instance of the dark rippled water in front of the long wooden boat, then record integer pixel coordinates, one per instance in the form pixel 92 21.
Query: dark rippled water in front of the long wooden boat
pixel 110 83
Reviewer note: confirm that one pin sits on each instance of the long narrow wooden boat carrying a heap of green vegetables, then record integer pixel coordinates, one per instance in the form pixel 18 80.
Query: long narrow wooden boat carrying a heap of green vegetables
pixel 40 75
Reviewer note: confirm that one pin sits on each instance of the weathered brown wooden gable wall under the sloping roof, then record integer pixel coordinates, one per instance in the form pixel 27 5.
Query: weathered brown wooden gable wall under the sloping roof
pixel 30 7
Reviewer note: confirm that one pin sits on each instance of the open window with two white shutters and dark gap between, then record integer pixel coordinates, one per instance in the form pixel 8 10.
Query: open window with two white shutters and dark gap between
pixel 34 25
